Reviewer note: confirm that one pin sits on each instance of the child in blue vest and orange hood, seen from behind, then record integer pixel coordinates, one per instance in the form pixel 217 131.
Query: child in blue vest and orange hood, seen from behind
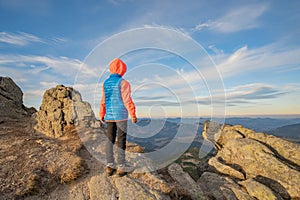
pixel 115 105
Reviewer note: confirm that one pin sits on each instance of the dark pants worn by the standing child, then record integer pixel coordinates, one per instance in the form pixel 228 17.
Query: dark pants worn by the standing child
pixel 116 130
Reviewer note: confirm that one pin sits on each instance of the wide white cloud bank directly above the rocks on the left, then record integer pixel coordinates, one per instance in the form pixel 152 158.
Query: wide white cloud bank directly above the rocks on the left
pixel 38 73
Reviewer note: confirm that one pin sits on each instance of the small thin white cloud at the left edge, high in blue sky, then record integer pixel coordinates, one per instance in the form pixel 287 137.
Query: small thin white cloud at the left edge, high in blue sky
pixel 20 39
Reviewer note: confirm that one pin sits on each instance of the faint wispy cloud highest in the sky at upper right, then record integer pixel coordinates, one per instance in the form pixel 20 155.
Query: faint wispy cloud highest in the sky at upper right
pixel 241 18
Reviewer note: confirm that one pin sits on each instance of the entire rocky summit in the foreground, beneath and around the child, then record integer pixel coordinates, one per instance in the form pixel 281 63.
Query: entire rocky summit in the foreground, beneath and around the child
pixel 48 154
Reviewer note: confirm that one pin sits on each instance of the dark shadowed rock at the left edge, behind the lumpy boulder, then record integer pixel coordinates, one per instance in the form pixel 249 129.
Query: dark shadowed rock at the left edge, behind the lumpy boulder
pixel 11 99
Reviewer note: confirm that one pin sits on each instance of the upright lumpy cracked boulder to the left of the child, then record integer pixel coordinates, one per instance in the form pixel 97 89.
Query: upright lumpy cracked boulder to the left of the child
pixel 62 107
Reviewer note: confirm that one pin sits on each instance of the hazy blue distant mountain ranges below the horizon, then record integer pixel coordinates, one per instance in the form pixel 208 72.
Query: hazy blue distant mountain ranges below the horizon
pixel 154 134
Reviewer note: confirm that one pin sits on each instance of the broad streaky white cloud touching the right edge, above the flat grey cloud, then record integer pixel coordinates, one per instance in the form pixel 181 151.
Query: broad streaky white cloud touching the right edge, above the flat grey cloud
pixel 245 60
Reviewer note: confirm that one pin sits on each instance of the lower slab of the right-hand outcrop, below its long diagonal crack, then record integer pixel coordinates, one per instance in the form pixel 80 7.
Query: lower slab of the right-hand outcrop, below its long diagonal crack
pixel 257 159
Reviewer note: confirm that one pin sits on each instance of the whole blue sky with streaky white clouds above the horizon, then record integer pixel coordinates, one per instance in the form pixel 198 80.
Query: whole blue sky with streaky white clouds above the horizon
pixel 253 45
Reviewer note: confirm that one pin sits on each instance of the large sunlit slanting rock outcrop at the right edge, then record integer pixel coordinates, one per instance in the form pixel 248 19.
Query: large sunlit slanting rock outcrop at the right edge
pixel 266 167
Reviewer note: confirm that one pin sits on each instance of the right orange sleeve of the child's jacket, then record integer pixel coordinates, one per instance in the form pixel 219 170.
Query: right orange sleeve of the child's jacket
pixel 126 96
